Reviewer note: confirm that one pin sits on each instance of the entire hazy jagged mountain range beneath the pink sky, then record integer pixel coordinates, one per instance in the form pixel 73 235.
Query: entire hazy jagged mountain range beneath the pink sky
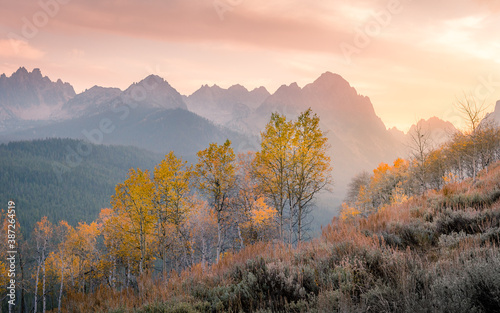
pixel 153 115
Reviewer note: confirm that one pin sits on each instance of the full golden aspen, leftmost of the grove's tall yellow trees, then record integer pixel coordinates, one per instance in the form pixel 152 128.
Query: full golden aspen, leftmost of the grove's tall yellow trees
pixel 134 199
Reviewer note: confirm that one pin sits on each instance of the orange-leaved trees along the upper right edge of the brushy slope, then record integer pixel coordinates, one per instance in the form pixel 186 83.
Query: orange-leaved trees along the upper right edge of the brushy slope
pixel 467 152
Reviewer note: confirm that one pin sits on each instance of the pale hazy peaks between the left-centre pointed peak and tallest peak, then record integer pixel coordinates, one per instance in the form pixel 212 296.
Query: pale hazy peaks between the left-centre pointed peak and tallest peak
pixel 226 106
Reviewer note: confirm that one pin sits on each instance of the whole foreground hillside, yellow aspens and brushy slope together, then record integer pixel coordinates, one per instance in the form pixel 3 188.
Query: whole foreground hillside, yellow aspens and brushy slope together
pixel 230 233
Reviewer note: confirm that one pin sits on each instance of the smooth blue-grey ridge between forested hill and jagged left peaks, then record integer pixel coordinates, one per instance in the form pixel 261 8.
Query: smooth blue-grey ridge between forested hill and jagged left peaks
pixel 158 130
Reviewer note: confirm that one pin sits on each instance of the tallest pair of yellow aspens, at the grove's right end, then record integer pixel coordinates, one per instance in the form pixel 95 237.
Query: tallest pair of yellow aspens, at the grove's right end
pixel 292 167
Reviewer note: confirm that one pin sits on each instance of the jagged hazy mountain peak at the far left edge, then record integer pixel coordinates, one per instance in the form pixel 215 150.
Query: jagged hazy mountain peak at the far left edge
pixel 30 96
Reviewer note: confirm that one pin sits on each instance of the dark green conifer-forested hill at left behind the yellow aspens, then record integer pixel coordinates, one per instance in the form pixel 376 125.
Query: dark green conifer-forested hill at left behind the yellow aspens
pixel 64 179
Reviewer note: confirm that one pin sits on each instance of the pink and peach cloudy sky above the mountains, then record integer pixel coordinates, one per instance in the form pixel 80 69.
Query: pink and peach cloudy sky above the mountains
pixel 412 58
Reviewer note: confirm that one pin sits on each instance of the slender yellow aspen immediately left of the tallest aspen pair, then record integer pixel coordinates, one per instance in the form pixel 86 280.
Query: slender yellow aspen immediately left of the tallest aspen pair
pixel 215 176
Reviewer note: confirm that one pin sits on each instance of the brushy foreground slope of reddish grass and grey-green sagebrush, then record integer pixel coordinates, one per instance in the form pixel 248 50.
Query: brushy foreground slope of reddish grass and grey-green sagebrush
pixel 436 253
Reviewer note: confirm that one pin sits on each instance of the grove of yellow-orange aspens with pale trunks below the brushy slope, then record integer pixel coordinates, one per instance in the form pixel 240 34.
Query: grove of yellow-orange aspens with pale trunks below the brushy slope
pixel 181 215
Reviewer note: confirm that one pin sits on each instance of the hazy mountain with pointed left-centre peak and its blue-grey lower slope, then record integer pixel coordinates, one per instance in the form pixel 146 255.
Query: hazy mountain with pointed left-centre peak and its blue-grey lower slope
pixel 149 114
